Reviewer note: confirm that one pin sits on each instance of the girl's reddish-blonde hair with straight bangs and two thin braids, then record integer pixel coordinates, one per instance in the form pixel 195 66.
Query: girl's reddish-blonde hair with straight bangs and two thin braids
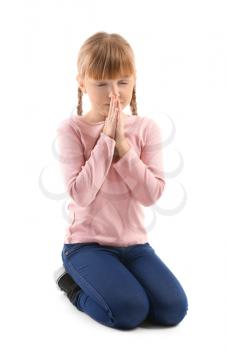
pixel 106 56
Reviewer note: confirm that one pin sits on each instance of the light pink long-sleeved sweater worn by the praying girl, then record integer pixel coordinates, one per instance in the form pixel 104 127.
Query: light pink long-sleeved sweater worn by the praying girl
pixel 106 196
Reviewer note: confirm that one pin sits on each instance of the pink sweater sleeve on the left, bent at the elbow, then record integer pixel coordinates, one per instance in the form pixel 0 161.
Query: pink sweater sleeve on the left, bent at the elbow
pixel 83 179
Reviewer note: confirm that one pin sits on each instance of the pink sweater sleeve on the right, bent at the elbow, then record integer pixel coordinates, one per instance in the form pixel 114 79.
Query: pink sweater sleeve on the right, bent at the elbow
pixel 144 176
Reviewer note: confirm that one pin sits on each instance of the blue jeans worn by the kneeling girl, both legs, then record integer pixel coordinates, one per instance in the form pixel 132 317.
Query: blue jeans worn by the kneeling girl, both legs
pixel 123 286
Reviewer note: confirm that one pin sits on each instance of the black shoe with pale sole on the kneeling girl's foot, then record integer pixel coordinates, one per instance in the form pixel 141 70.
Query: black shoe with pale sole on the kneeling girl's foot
pixel 66 283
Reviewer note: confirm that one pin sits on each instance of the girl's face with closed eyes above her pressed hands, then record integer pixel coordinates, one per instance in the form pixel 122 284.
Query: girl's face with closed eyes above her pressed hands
pixel 100 92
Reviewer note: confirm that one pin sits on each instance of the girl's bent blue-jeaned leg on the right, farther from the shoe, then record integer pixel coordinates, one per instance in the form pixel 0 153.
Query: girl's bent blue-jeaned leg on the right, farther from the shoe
pixel 168 301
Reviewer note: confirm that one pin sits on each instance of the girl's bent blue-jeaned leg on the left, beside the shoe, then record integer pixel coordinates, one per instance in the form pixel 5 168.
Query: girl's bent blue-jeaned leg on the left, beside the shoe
pixel 109 293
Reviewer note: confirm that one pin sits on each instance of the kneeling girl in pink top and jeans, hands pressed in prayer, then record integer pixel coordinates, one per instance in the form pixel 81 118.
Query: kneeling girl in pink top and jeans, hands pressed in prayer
pixel 112 166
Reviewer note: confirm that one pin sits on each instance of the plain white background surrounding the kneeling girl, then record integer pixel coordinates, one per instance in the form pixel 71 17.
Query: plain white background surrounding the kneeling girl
pixel 181 56
